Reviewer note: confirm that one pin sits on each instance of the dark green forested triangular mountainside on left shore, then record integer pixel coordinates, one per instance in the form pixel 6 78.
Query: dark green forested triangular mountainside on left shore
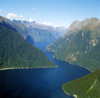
pixel 16 52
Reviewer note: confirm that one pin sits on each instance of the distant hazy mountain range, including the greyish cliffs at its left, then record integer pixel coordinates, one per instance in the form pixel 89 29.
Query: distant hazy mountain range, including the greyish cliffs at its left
pixel 38 32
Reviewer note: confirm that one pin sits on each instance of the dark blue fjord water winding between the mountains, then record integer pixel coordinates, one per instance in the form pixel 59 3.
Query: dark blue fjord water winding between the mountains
pixel 39 82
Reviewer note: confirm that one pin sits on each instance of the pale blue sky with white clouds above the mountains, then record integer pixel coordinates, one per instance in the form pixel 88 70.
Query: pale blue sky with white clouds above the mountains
pixel 50 12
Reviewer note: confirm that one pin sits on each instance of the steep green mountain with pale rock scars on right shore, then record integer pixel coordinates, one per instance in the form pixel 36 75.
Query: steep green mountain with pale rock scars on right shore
pixel 81 45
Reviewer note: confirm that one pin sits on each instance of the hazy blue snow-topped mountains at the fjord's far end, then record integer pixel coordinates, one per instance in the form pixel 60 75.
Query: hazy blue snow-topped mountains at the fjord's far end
pixel 40 32
